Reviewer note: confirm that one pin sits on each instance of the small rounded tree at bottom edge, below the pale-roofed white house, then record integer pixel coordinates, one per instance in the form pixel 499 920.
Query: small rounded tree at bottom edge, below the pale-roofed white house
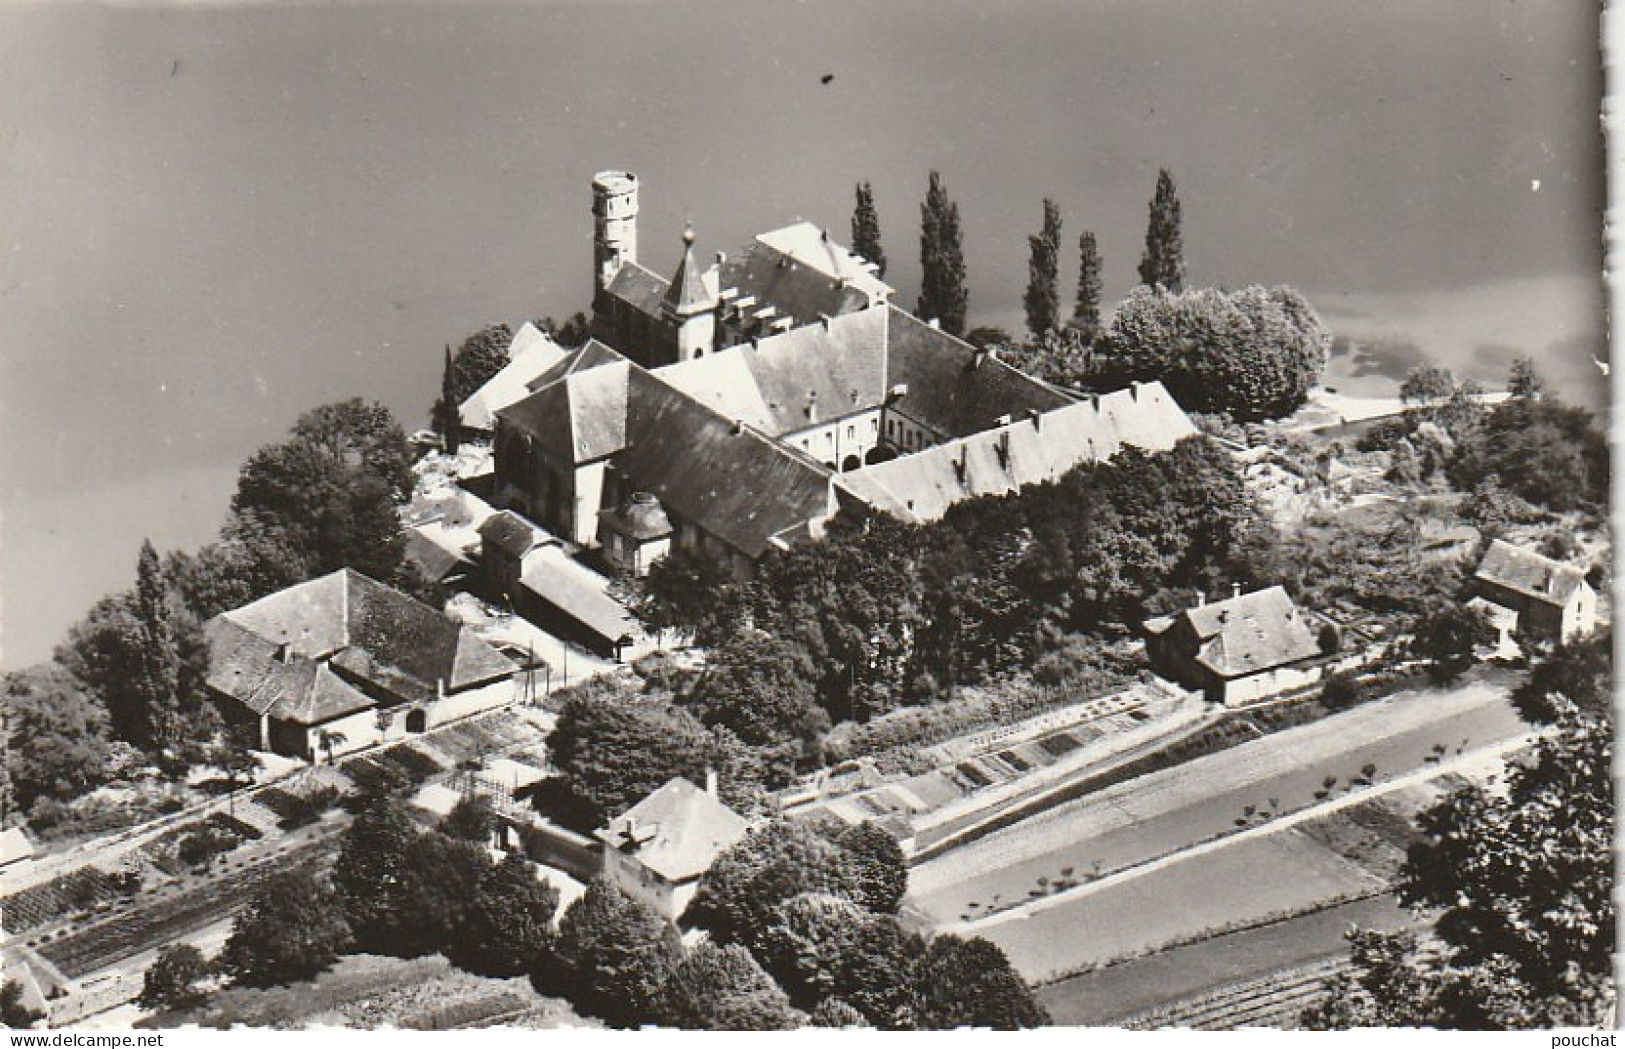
pixel 722 988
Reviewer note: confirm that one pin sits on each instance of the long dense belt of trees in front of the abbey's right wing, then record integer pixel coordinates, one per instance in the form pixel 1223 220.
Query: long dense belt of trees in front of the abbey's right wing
pixel 891 613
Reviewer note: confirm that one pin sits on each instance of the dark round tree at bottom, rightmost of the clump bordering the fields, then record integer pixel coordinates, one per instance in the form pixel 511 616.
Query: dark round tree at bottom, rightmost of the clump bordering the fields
pixel 973 985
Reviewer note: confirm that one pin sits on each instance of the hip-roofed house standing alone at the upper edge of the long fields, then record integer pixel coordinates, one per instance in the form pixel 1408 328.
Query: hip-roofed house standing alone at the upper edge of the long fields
pixel 1241 650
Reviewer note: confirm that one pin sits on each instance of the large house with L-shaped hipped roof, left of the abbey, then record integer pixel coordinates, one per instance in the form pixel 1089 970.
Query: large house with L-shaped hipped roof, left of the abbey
pixel 344 662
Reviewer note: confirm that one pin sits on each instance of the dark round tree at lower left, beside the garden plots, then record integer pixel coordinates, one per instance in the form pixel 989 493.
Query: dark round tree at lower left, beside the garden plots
pixel 293 930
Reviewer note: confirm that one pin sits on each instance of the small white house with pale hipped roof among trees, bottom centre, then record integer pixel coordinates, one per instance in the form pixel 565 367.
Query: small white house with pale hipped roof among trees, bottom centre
pixel 657 850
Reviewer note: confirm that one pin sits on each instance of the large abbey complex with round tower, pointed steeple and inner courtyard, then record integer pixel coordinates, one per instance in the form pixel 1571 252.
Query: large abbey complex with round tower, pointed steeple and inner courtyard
pixel 743 404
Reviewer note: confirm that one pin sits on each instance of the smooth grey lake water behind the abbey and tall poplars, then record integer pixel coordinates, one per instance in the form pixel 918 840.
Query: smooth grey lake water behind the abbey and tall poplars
pixel 220 215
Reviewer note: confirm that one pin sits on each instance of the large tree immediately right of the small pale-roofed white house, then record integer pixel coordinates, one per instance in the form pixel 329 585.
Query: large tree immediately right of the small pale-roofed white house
pixel 740 896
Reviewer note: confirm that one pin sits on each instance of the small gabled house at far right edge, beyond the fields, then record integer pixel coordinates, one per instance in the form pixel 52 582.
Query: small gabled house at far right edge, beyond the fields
pixel 1540 597
